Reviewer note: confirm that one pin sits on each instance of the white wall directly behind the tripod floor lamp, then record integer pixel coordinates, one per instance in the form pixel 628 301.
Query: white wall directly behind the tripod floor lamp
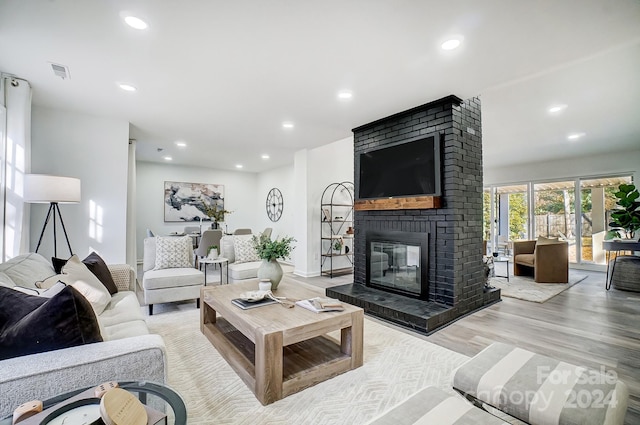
pixel 95 150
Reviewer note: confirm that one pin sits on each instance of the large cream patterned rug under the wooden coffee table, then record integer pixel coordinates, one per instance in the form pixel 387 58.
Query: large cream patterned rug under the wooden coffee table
pixel 396 365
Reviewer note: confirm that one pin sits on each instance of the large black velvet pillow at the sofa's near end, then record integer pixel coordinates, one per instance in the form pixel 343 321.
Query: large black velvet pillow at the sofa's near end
pixel 31 324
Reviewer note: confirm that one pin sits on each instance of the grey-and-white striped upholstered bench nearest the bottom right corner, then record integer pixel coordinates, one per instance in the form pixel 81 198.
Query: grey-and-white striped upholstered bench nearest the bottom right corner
pixel 541 390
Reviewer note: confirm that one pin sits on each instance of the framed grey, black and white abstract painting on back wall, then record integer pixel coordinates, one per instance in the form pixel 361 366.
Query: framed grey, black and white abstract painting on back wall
pixel 191 201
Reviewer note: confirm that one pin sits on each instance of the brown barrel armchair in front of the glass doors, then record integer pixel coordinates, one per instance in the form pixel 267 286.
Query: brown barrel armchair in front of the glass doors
pixel 548 259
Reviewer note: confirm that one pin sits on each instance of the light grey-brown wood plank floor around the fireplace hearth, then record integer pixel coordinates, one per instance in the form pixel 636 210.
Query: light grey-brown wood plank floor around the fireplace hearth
pixel 584 325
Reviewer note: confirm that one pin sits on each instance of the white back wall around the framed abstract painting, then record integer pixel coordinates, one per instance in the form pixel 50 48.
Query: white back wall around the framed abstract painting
pixel 241 193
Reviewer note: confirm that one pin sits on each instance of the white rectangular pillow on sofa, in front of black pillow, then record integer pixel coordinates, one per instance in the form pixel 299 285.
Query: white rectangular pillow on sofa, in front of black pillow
pixel 76 274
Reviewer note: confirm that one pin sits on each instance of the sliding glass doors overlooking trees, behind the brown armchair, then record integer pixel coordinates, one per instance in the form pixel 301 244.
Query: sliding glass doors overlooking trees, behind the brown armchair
pixel 577 211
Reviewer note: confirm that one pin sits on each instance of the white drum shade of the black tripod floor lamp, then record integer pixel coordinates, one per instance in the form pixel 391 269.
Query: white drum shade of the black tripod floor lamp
pixel 42 188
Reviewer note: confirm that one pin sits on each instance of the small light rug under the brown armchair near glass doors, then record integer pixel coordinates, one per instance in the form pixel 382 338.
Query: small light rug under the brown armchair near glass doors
pixel 524 288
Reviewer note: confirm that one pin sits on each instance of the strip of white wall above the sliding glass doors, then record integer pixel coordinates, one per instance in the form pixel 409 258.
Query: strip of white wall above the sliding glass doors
pixel 611 163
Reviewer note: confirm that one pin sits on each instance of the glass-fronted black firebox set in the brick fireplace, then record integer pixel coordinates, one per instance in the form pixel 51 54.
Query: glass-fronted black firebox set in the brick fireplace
pixel 398 262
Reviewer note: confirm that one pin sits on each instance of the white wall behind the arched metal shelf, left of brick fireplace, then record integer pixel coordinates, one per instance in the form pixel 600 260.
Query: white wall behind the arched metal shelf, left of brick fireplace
pixel 318 168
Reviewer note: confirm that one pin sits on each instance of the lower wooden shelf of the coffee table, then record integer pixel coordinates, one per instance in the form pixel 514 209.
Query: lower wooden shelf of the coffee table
pixel 304 364
